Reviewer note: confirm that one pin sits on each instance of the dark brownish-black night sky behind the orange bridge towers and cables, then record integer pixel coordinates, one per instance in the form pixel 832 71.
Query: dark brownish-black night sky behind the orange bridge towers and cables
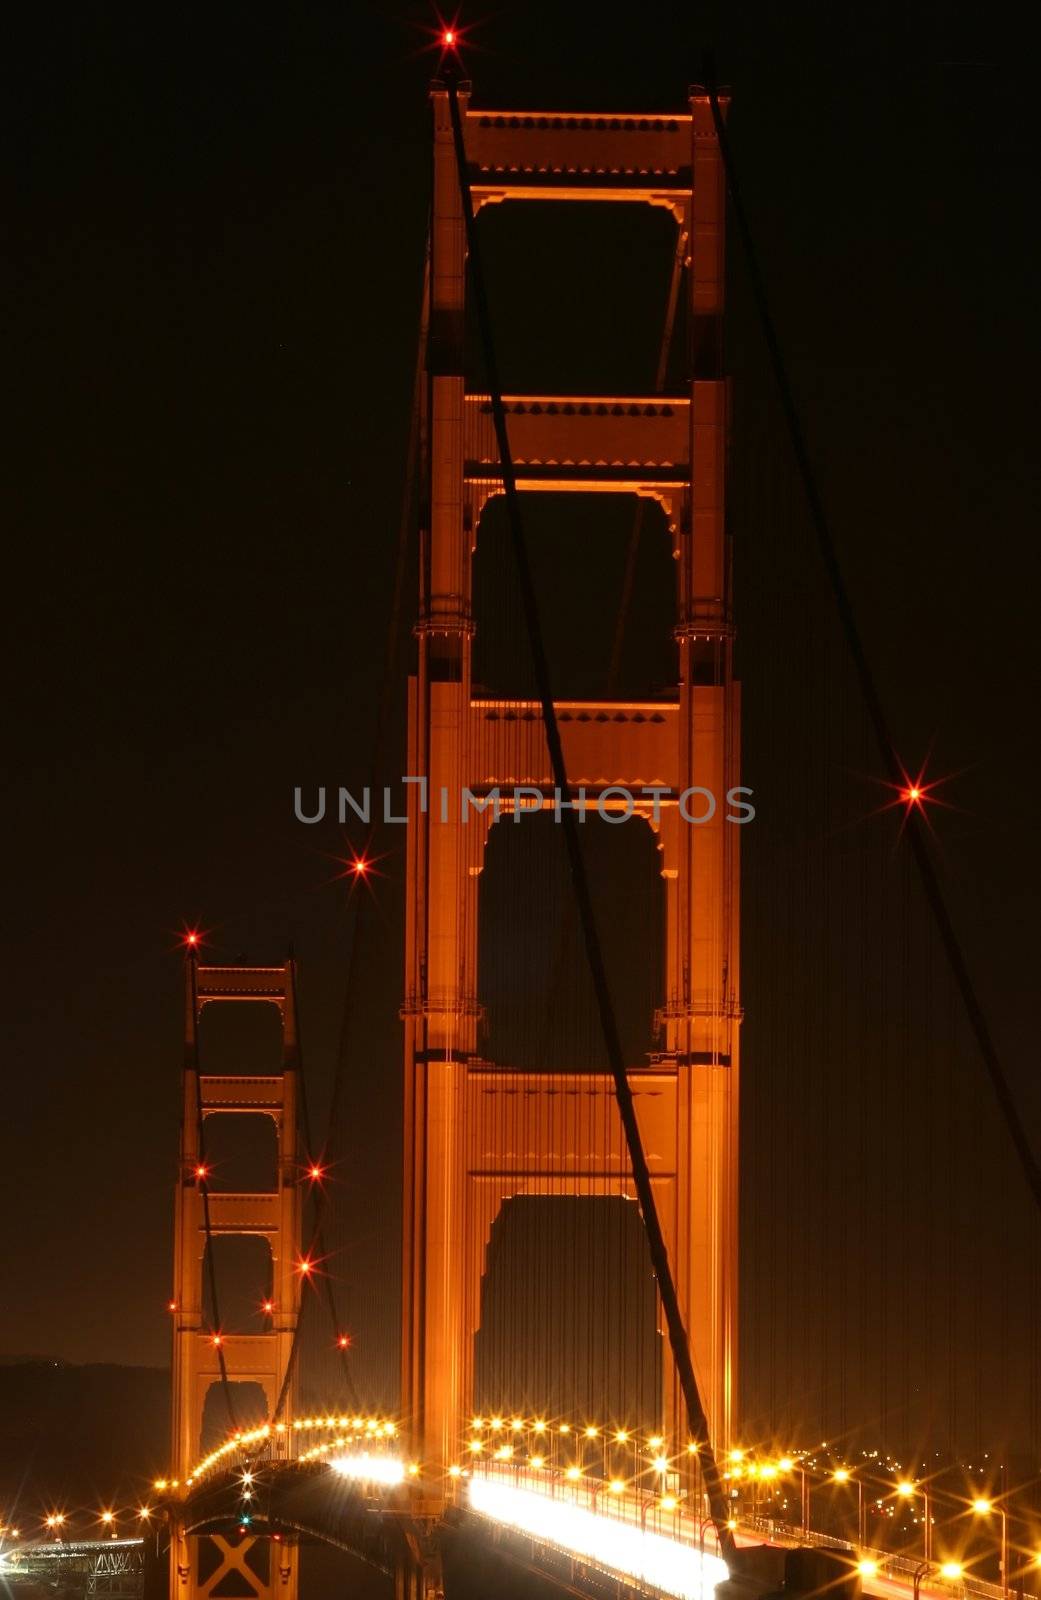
pixel 213 266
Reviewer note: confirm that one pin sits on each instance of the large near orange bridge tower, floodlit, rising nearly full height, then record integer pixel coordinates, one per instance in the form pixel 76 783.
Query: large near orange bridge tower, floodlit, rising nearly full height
pixel 671 449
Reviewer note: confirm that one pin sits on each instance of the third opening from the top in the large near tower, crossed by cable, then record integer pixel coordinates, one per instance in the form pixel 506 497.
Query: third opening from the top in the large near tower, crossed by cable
pixel 533 977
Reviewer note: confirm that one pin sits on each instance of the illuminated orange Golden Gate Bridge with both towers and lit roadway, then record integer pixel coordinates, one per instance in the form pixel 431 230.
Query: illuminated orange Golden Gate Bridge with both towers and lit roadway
pixel 656 1490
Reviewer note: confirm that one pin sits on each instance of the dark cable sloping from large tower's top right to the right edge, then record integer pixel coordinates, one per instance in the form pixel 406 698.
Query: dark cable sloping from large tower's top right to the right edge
pixel 869 689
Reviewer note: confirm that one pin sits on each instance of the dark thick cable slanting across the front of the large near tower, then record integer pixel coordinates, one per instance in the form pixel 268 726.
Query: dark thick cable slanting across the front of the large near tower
pixel 580 881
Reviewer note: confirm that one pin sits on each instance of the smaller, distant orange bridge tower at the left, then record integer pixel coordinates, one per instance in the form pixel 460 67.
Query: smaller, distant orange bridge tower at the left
pixel 236 1569
